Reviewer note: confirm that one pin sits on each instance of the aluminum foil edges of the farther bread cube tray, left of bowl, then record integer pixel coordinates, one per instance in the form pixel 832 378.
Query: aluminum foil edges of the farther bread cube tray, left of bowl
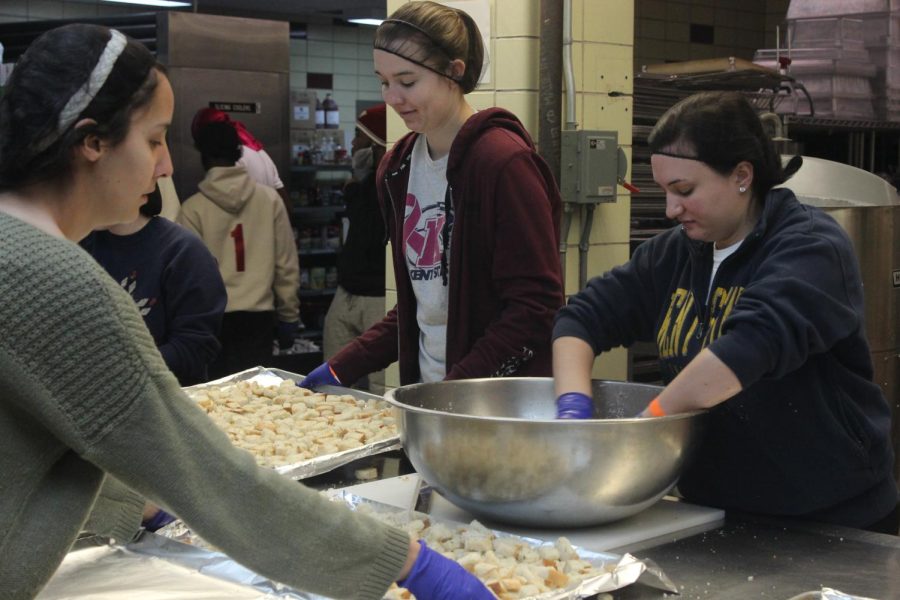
pixel 319 464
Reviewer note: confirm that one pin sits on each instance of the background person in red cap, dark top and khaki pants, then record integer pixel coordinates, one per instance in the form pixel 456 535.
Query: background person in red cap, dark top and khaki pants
pixel 358 302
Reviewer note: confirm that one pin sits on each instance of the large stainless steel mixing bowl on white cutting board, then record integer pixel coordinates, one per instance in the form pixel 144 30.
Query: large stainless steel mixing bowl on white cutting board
pixel 494 448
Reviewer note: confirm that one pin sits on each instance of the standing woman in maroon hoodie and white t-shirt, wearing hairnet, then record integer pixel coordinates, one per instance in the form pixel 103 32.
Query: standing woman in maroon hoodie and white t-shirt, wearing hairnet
pixel 472 213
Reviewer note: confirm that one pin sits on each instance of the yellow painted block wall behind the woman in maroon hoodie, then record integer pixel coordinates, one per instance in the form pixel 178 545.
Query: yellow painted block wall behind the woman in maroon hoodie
pixel 603 44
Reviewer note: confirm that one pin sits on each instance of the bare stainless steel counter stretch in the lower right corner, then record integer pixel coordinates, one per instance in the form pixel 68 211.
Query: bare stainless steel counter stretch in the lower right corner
pixel 754 558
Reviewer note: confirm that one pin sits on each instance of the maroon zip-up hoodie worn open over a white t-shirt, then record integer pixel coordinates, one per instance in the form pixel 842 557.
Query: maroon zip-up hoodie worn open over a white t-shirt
pixel 504 271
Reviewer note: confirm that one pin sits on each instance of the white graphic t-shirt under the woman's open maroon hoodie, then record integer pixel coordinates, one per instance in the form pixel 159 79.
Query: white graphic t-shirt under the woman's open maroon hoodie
pixel 423 224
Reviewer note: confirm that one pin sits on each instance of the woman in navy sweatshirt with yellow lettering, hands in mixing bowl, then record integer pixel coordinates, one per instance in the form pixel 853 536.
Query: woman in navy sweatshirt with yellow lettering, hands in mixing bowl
pixel 755 302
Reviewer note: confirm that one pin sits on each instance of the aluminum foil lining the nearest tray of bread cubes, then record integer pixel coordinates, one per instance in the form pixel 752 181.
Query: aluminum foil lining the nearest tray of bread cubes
pixel 178 544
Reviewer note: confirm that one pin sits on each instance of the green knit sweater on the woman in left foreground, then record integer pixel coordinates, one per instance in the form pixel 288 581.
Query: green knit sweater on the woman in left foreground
pixel 84 392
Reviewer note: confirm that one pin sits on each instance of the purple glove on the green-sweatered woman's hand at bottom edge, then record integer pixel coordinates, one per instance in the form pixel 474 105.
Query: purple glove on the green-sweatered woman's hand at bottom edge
pixel 435 577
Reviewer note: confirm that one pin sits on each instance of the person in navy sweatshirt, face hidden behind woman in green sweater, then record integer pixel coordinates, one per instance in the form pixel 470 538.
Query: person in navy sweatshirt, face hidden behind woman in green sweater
pixel 175 282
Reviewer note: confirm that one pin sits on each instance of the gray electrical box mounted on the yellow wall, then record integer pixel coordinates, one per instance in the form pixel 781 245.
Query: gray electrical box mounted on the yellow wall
pixel 590 166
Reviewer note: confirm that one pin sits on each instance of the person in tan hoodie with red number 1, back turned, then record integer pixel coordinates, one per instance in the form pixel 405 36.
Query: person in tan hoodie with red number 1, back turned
pixel 246 227
